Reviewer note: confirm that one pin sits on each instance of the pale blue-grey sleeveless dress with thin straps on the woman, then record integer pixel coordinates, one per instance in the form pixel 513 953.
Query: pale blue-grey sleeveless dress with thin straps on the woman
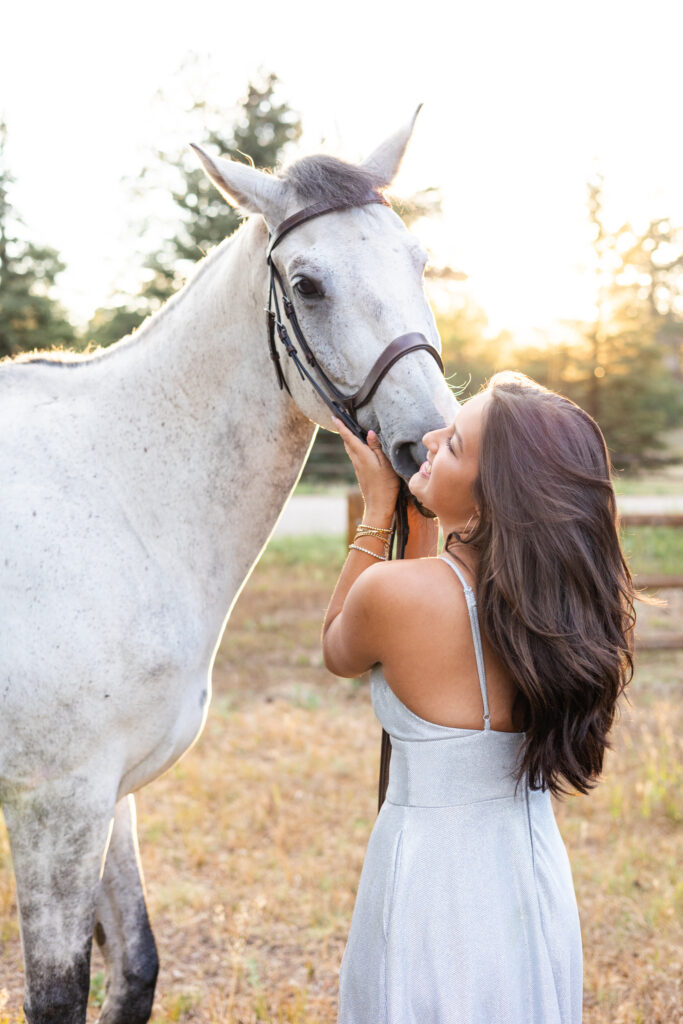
pixel 466 912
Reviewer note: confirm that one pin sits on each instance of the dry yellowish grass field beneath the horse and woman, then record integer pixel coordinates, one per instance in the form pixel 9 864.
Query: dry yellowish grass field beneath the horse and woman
pixel 253 844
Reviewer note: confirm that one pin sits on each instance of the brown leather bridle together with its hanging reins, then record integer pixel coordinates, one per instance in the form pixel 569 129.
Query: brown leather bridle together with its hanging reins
pixel 344 406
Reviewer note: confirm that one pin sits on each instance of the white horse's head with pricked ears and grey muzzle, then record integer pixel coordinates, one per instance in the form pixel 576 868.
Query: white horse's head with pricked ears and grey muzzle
pixel 355 277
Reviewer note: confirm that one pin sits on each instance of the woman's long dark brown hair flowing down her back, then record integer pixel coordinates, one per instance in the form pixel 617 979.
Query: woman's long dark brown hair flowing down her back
pixel 554 592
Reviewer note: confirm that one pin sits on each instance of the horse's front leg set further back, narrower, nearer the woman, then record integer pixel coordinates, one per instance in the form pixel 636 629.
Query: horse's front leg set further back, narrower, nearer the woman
pixel 122 927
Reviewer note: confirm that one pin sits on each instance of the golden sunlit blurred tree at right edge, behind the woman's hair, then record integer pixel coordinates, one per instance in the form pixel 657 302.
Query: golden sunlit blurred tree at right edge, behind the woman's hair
pixel 621 367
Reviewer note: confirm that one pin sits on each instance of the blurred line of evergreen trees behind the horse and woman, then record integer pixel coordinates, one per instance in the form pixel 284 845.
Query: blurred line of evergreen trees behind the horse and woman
pixel 625 366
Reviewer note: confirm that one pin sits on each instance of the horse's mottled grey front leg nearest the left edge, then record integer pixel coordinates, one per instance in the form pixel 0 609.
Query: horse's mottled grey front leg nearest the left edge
pixel 58 837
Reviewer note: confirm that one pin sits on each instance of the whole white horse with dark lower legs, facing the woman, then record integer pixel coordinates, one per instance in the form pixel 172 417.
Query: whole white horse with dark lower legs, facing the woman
pixel 140 487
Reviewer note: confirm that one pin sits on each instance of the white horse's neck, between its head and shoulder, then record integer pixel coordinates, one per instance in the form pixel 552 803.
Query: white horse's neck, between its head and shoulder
pixel 216 447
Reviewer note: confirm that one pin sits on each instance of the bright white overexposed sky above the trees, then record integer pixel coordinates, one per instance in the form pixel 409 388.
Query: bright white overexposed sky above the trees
pixel 523 102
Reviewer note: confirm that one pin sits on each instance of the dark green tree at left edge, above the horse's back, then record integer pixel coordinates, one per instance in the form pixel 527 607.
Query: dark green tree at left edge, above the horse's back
pixel 30 318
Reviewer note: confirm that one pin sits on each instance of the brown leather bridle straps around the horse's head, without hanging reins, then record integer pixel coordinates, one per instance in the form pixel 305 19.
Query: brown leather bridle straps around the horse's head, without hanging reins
pixel 344 406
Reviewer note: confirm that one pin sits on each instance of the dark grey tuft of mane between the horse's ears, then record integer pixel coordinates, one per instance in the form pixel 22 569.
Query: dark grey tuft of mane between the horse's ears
pixel 319 179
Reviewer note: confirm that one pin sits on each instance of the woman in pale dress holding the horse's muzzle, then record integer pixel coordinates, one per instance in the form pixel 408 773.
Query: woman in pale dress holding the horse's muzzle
pixel 466 912
